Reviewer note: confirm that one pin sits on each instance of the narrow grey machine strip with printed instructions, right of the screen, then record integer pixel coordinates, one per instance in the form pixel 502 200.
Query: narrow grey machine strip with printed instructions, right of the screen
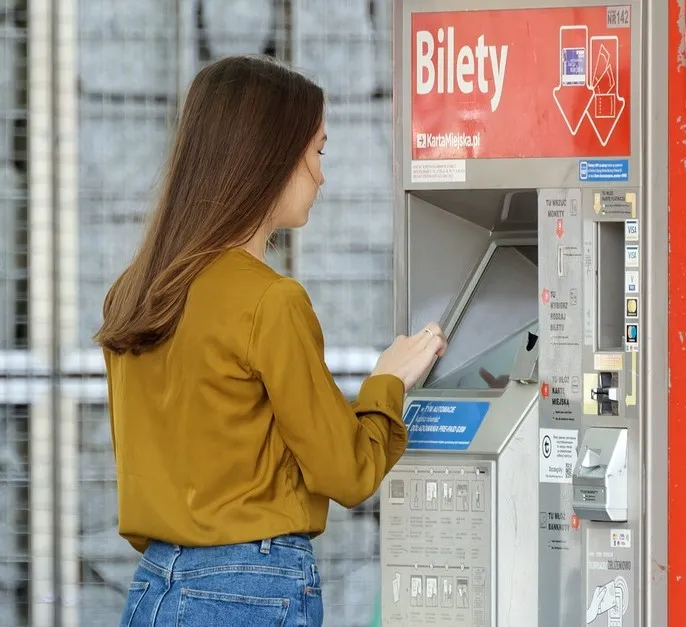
pixel 560 319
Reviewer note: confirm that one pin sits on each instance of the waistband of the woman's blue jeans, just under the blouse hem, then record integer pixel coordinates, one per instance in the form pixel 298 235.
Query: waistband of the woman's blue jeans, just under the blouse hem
pixel 167 556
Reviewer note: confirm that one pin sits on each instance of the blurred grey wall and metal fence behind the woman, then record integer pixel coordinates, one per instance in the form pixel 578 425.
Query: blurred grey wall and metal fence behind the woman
pixel 89 90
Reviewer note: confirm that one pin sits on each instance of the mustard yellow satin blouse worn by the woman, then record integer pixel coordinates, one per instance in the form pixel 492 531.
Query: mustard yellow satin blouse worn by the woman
pixel 234 430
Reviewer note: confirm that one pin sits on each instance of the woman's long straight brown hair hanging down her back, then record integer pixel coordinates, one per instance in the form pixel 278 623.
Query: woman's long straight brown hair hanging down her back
pixel 245 126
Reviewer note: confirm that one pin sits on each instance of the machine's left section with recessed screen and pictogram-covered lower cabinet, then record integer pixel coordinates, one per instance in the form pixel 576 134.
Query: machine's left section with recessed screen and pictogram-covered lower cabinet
pixel 459 512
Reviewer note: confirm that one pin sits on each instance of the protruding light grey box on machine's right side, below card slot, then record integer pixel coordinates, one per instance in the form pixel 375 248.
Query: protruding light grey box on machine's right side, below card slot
pixel 600 478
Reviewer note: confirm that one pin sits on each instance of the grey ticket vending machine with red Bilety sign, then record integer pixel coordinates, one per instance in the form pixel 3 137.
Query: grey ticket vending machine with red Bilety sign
pixel 525 213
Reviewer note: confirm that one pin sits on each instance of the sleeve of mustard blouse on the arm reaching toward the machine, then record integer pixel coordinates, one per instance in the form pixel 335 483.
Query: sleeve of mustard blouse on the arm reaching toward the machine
pixel 344 451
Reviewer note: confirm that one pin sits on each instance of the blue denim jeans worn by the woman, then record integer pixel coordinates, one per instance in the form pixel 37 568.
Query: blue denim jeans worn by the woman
pixel 273 583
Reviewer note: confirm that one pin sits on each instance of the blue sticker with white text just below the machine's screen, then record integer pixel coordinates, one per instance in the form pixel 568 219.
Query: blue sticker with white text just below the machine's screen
pixel 443 425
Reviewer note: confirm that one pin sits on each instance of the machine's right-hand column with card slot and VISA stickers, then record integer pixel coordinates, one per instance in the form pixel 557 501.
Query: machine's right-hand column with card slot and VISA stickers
pixel 612 551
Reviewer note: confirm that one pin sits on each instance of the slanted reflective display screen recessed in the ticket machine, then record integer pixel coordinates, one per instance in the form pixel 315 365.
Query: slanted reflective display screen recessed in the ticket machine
pixel 503 307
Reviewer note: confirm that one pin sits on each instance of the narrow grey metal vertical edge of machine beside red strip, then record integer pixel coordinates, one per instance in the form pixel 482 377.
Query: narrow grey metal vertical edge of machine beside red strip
pixel 653 369
